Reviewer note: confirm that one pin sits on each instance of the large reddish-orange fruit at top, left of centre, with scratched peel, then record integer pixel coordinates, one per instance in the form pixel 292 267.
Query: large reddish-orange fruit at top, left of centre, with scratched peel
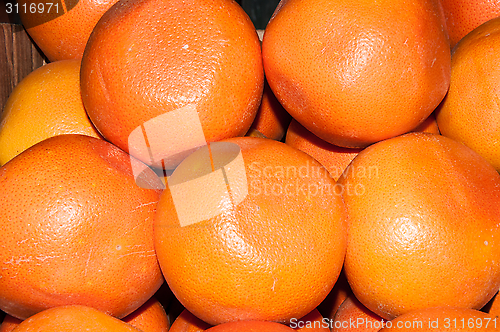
pixel 209 60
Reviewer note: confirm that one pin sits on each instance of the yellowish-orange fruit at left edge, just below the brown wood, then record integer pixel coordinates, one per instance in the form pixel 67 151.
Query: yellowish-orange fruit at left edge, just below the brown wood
pixel 45 103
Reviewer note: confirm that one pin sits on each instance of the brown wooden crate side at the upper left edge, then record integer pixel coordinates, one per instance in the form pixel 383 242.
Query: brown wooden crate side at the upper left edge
pixel 18 58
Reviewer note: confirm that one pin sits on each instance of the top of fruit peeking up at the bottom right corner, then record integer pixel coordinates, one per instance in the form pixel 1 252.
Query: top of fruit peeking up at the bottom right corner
pixel 443 319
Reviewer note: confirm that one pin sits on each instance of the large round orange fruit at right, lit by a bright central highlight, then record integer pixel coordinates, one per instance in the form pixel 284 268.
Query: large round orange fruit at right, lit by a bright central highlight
pixel 422 222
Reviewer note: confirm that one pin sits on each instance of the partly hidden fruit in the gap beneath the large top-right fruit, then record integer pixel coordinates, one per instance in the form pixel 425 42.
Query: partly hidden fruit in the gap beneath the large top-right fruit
pixel 334 158
